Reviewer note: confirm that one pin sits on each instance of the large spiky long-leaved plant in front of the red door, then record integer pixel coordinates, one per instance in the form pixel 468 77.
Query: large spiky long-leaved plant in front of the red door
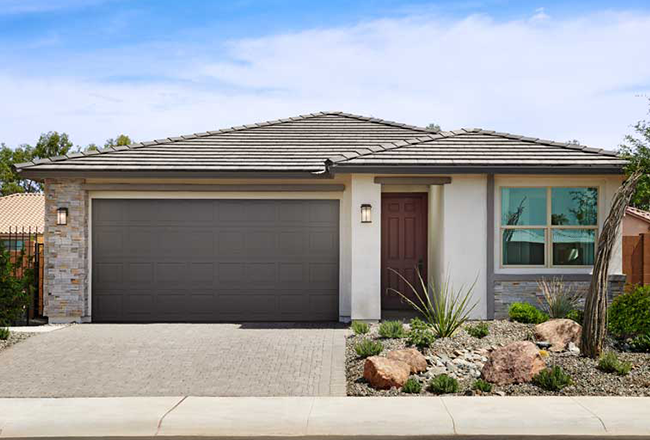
pixel 445 310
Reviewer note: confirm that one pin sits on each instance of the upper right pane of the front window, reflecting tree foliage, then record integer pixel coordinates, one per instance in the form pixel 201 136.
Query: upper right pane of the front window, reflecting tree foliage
pixel 574 206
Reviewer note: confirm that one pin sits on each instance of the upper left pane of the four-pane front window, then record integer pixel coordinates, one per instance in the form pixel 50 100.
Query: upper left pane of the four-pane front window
pixel 523 206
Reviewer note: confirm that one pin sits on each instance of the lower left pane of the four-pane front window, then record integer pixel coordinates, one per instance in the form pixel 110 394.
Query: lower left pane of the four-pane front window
pixel 523 247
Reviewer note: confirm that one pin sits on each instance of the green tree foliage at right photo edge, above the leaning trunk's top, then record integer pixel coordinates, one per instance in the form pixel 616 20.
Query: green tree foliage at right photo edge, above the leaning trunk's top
pixel 636 149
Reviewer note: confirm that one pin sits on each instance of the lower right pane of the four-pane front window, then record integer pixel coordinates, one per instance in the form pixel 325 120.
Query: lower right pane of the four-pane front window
pixel 573 247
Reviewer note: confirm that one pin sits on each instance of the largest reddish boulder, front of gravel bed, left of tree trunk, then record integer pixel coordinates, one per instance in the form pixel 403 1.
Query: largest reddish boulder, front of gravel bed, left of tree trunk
pixel 515 363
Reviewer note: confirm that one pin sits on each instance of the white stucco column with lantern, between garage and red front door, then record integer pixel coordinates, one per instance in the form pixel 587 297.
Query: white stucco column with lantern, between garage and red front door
pixel 365 249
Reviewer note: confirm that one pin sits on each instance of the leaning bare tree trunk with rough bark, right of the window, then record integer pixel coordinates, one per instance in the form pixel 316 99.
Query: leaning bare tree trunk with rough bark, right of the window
pixel 594 325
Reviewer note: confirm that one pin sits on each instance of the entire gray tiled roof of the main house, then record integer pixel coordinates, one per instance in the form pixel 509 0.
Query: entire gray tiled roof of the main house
pixel 330 141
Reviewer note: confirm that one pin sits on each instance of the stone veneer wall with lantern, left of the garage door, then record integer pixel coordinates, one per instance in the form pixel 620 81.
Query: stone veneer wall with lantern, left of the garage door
pixel 65 252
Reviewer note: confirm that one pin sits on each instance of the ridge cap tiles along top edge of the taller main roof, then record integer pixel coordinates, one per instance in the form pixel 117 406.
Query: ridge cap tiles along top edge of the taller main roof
pixel 169 140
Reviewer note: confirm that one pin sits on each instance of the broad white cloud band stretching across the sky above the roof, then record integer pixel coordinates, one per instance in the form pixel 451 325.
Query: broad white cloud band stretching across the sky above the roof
pixel 559 79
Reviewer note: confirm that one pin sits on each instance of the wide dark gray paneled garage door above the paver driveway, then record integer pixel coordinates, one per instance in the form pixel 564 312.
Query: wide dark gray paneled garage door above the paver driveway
pixel 215 260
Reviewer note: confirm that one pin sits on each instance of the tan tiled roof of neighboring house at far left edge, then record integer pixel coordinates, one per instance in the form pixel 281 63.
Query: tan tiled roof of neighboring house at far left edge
pixel 22 211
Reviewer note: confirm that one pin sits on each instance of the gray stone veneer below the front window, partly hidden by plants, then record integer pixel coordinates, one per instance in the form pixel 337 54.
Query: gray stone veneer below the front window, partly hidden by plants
pixel 508 292
